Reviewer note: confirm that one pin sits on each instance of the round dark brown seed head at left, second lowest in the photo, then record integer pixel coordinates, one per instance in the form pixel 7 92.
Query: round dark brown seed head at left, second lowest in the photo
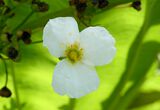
pixel 12 53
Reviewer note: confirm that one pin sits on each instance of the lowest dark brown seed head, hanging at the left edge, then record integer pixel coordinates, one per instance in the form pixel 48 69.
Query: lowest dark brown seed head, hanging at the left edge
pixel 5 92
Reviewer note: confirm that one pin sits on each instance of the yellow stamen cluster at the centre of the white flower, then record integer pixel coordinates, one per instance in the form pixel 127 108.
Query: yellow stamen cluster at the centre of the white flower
pixel 74 53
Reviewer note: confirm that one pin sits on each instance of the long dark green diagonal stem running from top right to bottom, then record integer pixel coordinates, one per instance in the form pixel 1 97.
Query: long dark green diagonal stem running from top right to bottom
pixel 132 61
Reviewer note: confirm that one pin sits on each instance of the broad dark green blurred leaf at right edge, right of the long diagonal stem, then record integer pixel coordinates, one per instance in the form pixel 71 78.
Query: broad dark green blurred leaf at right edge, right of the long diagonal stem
pixel 145 59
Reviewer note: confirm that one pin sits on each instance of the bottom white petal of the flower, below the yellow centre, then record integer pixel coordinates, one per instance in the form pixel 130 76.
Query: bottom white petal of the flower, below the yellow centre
pixel 74 80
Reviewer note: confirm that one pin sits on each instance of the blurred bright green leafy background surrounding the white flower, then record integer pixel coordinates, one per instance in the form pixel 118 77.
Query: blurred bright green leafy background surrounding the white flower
pixel 135 68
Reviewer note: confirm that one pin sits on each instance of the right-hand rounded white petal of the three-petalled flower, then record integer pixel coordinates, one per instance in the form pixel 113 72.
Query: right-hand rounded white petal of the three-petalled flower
pixel 98 46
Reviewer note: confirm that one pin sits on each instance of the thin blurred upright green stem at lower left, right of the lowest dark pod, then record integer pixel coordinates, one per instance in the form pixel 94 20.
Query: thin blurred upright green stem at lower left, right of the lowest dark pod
pixel 15 86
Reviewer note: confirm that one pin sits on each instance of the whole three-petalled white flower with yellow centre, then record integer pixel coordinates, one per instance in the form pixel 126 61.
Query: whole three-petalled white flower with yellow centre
pixel 75 75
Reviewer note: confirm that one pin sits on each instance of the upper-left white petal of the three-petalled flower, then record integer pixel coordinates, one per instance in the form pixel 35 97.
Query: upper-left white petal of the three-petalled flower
pixel 58 33
